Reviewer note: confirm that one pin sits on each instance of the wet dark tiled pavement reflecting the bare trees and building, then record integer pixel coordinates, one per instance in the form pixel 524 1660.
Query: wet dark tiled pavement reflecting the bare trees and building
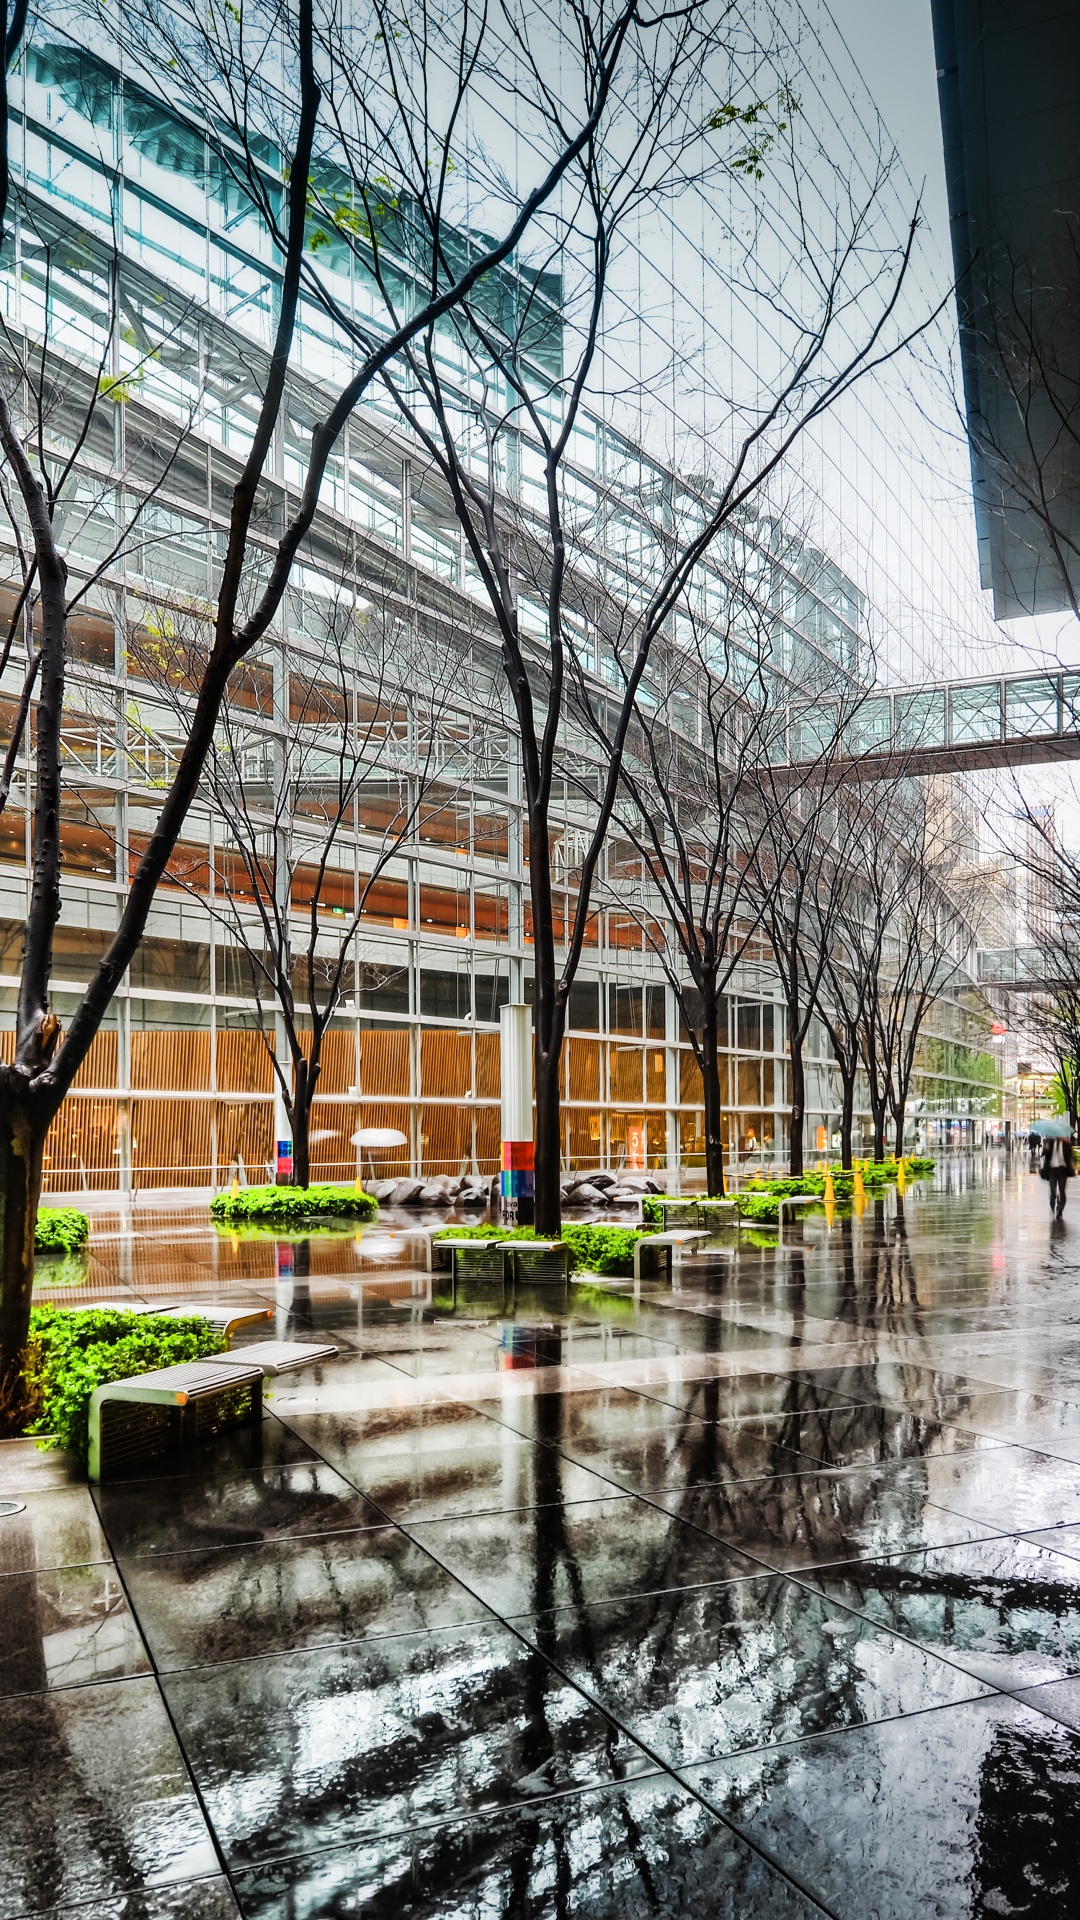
pixel 750 1598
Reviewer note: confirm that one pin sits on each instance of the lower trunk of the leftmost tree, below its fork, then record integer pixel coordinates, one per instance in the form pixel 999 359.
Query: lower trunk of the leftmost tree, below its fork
pixel 22 1153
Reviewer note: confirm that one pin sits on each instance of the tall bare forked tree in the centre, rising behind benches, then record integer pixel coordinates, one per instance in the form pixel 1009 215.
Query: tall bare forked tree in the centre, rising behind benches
pixel 501 396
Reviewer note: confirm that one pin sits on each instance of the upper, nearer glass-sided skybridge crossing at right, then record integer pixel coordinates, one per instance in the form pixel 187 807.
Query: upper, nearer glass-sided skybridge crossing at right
pixel 954 727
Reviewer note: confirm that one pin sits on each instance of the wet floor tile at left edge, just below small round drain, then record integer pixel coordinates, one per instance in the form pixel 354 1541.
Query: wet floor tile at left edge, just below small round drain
pixel 66 1627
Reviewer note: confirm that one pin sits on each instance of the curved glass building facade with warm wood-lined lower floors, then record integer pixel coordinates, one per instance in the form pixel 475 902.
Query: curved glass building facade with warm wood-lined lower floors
pixel 180 1088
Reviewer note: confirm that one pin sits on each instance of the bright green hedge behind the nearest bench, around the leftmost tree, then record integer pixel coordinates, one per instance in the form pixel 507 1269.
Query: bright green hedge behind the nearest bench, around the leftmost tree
pixel 74 1353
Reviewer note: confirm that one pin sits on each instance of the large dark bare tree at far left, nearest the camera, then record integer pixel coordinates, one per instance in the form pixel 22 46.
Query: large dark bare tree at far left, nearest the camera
pixel 212 60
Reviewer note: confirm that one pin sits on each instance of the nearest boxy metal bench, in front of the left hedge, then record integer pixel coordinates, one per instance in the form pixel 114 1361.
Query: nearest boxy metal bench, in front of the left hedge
pixel 153 1414
